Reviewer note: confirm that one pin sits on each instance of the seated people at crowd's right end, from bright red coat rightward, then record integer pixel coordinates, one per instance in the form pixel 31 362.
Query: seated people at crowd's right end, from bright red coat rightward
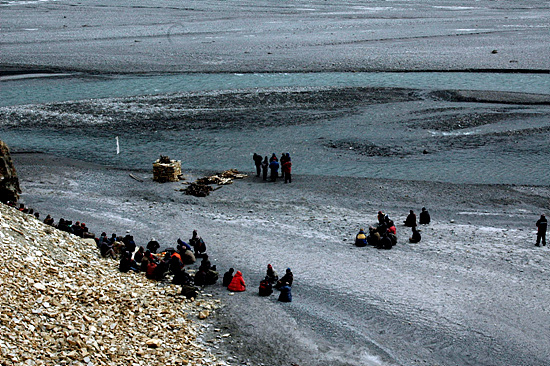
pixel 235 282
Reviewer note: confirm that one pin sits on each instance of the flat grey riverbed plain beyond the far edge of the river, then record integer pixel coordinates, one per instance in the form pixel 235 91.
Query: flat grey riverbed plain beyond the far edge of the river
pixel 260 36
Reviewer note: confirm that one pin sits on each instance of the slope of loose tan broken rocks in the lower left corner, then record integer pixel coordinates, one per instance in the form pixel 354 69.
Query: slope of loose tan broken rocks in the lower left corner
pixel 61 303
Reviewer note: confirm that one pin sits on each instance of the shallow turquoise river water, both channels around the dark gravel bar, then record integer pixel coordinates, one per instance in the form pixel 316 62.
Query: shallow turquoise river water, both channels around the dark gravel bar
pixel 513 150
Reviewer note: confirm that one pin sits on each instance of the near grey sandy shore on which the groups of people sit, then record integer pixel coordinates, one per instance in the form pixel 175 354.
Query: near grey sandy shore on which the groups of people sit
pixel 473 292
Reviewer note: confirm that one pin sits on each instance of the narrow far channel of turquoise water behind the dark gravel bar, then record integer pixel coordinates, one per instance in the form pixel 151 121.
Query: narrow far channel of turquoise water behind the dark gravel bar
pixel 77 87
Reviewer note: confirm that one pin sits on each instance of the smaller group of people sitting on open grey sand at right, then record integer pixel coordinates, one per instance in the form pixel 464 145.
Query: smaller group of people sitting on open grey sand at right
pixel 384 234
